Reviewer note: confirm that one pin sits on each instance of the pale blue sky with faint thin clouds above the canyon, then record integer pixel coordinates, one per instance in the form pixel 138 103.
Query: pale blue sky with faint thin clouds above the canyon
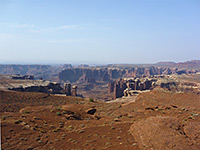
pixel 99 31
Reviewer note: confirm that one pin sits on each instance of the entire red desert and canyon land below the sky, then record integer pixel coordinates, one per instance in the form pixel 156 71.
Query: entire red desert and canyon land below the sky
pixel 105 107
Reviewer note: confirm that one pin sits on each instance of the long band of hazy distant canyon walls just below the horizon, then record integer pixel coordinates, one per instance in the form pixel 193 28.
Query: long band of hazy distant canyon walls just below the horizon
pixel 88 74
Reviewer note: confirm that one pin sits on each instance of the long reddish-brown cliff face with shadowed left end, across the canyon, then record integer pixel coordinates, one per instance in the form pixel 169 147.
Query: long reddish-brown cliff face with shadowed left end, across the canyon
pixel 108 74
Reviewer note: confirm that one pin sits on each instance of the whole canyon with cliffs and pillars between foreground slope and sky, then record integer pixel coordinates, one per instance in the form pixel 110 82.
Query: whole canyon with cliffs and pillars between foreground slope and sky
pixel 101 82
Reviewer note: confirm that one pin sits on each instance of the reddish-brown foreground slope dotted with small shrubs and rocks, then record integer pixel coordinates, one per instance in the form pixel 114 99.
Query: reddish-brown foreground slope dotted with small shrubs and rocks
pixel 156 120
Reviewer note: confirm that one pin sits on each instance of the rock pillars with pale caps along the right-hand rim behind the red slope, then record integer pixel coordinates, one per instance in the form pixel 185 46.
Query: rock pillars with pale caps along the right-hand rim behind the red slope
pixel 132 86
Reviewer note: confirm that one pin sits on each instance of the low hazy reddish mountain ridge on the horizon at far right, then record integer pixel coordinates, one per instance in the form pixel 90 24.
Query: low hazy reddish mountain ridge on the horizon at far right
pixel 193 64
